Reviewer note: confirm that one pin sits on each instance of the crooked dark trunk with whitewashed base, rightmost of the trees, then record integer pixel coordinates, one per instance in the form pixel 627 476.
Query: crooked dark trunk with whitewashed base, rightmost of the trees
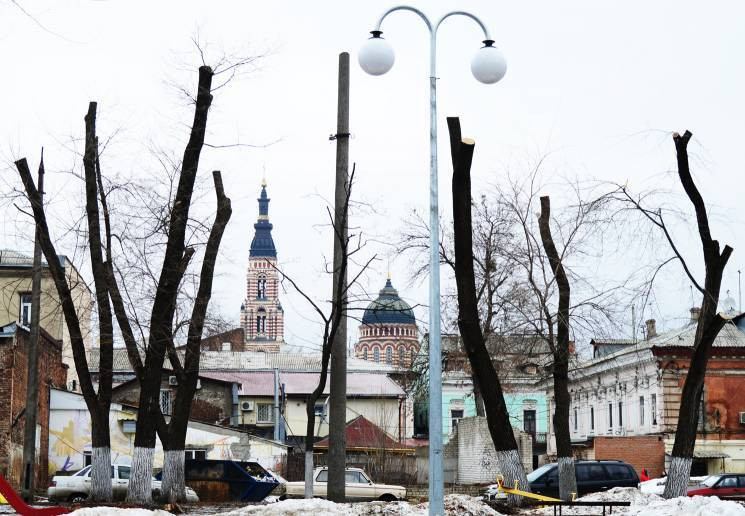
pixel 708 327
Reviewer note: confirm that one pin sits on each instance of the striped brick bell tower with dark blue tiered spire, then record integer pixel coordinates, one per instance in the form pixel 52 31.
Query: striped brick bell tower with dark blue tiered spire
pixel 262 317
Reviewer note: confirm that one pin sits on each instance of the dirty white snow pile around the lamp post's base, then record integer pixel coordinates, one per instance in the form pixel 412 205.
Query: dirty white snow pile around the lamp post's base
pixel 460 505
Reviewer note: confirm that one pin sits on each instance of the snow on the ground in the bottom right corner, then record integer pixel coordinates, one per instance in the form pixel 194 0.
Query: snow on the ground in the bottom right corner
pixel 646 504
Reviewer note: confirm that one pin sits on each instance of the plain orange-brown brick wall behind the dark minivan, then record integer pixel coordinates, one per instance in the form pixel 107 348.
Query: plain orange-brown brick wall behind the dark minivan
pixel 642 451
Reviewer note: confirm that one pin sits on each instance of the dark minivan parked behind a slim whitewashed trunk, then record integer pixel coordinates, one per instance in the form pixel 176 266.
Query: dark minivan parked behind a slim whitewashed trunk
pixel 592 476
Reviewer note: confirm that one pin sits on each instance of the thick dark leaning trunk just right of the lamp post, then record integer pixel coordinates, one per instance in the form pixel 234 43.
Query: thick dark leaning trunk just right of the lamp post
pixel 497 415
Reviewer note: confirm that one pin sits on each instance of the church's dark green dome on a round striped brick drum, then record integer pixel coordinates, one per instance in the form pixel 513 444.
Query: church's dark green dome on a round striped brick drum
pixel 388 332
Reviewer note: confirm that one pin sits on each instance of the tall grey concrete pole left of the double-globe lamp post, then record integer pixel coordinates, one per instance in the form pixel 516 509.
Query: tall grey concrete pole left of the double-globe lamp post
pixel 338 388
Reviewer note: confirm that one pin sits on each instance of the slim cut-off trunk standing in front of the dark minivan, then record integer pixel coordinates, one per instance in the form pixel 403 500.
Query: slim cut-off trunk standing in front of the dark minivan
pixel 567 478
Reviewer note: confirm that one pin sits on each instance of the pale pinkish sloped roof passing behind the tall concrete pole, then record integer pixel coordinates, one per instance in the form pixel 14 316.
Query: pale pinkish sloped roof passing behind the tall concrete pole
pixel 261 383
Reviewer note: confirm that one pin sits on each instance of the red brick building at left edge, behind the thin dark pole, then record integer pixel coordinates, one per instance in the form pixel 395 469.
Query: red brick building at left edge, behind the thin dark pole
pixel 14 341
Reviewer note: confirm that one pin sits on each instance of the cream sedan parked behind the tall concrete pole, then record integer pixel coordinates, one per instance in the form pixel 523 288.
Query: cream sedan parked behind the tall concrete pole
pixel 359 487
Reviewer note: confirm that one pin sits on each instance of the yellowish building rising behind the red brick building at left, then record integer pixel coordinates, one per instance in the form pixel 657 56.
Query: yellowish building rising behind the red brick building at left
pixel 15 302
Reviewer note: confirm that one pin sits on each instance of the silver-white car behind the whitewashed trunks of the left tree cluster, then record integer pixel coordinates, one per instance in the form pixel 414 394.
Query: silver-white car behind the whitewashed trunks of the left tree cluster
pixel 76 488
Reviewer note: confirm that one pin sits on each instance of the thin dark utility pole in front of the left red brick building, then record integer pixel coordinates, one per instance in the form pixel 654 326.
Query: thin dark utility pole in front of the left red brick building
pixel 32 383
